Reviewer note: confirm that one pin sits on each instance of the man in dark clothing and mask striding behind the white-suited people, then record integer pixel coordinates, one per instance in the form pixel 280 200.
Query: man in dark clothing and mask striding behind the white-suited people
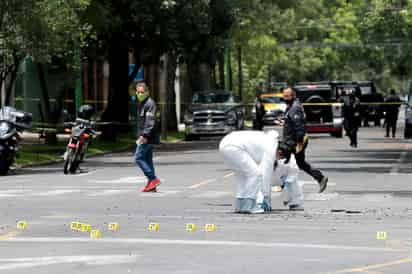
pixel 295 137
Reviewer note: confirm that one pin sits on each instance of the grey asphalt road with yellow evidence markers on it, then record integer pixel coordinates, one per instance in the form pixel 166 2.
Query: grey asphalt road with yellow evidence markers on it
pixel 369 191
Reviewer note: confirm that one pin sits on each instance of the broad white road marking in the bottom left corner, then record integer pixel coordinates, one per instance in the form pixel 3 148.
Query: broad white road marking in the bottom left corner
pixel 19 263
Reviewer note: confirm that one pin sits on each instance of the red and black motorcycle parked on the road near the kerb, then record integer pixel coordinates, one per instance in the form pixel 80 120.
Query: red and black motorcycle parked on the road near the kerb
pixel 81 136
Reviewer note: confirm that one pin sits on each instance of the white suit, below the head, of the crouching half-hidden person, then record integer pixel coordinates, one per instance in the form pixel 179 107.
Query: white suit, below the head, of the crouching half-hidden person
pixel 287 175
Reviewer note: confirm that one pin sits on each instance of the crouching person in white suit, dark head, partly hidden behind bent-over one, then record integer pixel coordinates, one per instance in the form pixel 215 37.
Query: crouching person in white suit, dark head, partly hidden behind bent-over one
pixel 286 175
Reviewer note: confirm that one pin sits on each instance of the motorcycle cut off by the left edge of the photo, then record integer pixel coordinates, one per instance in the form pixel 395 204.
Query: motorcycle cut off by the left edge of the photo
pixel 12 123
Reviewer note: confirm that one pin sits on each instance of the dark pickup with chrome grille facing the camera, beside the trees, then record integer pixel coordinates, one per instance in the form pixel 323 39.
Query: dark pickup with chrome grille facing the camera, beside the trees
pixel 215 112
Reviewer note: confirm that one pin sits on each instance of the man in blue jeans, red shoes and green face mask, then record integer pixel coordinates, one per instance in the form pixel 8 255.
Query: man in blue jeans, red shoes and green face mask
pixel 147 136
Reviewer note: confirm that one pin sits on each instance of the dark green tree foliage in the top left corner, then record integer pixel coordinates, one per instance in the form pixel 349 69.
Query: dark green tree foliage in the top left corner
pixel 40 29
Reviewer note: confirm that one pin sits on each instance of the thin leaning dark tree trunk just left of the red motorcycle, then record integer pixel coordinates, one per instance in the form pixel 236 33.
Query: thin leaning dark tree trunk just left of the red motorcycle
pixel 49 119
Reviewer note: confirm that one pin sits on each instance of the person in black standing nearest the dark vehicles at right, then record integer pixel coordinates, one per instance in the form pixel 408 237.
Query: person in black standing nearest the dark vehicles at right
pixel 352 117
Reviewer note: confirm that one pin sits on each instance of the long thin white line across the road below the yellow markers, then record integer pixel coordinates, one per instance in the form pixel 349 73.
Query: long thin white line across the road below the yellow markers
pixel 201 243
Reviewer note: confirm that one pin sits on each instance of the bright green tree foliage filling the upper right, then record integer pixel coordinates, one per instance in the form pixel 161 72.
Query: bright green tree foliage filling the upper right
pixel 310 40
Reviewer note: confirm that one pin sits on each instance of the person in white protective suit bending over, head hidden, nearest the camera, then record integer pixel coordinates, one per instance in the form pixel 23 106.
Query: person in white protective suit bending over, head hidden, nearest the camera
pixel 251 155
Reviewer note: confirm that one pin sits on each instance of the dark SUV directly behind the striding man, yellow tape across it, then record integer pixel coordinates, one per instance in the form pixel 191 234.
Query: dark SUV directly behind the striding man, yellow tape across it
pixel 323 112
